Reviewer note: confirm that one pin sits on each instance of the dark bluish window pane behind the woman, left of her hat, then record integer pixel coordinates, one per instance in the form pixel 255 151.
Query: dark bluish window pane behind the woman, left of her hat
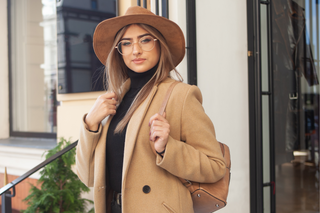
pixel 79 70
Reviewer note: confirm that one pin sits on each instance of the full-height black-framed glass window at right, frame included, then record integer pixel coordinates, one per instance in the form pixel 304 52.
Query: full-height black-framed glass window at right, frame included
pixel 284 104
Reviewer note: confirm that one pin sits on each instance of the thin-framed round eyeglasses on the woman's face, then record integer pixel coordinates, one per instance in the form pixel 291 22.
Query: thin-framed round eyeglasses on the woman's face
pixel 146 43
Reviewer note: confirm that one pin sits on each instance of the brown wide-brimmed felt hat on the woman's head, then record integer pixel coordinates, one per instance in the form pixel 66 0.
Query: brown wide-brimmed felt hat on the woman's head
pixel 106 31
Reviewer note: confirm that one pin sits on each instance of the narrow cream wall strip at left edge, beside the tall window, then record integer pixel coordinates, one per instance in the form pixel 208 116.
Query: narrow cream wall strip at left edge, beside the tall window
pixel 4 79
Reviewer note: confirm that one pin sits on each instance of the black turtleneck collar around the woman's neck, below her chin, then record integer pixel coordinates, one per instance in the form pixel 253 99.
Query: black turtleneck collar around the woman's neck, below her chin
pixel 138 80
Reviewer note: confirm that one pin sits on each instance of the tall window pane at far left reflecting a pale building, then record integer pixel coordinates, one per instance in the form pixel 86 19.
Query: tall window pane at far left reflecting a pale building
pixel 33 65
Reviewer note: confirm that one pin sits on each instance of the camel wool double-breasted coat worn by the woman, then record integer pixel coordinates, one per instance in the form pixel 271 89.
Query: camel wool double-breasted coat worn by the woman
pixel 149 182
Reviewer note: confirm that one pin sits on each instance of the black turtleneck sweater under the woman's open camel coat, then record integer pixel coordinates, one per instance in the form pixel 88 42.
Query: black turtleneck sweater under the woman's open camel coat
pixel 115 142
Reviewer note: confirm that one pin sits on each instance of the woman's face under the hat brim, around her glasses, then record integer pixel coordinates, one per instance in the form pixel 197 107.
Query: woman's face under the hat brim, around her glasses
pixel 139 60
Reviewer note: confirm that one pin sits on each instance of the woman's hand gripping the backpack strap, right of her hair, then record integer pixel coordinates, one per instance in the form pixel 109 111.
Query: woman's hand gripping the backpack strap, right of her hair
pixel 159 131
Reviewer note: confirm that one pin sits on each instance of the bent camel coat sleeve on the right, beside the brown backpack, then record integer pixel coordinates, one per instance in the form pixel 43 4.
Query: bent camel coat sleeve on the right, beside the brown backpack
pixel 197 155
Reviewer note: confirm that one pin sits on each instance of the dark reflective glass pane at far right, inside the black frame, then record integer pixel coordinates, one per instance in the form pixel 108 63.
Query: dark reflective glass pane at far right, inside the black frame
pixel 295 27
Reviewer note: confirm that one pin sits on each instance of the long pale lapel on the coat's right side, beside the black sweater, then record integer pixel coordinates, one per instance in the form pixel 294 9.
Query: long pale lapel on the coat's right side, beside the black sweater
pixel 132 132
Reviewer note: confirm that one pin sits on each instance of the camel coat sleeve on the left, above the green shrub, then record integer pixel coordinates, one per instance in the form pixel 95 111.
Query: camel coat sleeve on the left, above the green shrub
pixel 85 153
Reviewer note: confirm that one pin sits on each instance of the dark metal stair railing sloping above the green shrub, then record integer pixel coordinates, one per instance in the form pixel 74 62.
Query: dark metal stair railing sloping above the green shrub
pixel 6 194
